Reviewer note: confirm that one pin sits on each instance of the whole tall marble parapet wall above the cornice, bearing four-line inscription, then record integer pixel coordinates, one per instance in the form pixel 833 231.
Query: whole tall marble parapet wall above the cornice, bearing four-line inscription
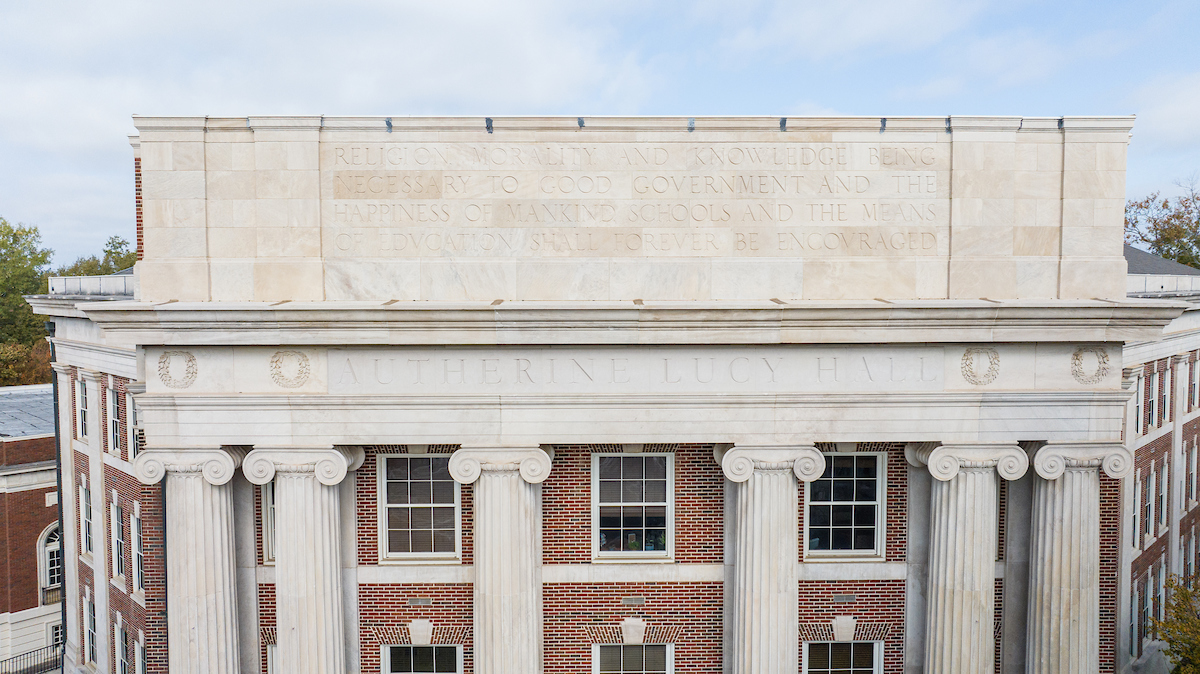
pixel 566 209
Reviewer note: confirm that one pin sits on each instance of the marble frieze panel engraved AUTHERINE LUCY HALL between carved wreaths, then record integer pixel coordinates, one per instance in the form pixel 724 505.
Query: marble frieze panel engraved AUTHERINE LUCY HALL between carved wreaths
pixel 650 371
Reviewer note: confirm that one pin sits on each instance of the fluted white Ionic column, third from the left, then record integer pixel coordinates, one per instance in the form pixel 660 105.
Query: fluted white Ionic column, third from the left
pixel 508 555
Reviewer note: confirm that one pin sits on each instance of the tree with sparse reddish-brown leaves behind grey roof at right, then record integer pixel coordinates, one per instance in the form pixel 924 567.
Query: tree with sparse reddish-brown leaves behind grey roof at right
pixel 1169 228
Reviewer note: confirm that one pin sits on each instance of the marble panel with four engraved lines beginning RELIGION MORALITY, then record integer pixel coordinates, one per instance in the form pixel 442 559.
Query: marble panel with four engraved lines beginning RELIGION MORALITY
pixel 631 200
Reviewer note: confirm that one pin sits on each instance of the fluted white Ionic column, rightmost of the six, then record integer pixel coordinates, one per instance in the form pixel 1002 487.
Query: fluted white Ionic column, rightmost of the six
pixel 1065 556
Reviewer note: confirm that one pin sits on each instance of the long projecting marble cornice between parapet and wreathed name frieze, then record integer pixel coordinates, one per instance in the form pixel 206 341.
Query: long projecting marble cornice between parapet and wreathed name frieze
pixel 625 323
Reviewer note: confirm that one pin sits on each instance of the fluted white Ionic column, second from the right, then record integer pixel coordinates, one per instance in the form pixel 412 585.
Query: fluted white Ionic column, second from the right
pixel 962 593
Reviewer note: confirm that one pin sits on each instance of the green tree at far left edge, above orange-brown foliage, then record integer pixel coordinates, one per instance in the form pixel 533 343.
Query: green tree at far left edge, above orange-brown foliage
pixel 23 267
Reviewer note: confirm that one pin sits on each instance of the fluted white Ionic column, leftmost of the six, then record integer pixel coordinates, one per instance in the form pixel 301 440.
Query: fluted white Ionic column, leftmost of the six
pixel 202 593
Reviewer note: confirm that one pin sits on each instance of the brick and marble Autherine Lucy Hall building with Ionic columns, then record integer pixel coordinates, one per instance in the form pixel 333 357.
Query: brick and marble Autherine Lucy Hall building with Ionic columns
pixel 511 396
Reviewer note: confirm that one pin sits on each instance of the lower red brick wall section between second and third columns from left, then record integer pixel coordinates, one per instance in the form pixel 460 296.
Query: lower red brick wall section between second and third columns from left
pixel 385 609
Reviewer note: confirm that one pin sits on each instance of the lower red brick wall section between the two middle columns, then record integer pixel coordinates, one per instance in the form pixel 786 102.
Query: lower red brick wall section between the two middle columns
pixel 695 610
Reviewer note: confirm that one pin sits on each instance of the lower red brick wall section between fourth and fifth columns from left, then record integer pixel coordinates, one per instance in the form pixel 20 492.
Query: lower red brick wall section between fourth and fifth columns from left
pixel 880 604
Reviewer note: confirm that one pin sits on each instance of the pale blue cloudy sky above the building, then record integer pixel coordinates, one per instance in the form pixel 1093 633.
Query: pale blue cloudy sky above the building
pixel 73 73
